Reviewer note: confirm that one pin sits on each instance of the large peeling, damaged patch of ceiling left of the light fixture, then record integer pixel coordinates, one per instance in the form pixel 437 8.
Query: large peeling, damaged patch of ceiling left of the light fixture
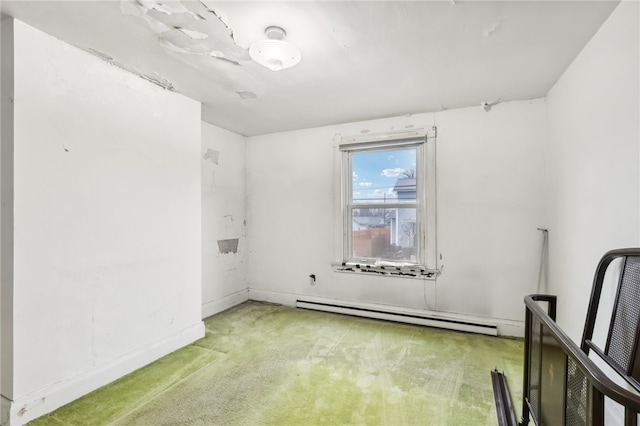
pixel 190 28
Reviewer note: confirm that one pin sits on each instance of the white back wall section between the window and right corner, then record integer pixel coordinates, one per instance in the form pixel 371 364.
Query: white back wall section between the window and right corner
pixel 489 207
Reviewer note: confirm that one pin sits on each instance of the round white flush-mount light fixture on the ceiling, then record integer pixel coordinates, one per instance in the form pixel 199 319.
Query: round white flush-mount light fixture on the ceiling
pixel 275 53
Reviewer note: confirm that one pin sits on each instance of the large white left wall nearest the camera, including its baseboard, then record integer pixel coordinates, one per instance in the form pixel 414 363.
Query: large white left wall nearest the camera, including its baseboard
pixel 107 251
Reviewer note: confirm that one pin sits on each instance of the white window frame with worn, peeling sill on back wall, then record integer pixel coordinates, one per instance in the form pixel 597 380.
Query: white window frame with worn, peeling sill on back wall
pixel 425 265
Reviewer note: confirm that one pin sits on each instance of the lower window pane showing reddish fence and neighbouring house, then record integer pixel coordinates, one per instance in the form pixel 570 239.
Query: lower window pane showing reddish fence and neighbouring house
pixel 388 234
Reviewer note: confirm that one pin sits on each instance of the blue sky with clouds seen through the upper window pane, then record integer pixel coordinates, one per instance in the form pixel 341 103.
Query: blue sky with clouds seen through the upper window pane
pixel 375 173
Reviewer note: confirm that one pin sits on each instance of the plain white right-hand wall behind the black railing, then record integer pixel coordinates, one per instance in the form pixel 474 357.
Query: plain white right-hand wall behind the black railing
pixel 592 181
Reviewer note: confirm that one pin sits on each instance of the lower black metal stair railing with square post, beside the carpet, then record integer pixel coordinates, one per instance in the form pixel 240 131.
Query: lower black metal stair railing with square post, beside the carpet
pixel 562 385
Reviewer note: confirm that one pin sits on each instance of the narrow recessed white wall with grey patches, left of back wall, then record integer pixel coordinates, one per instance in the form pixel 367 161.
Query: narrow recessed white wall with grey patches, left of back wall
pixel 223 218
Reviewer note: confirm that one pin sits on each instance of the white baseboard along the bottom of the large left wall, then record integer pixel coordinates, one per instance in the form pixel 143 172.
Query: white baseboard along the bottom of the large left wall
pixel 38 403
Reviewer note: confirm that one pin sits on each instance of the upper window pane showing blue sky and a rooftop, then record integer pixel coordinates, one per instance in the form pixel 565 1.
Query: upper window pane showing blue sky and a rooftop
pixel 384 176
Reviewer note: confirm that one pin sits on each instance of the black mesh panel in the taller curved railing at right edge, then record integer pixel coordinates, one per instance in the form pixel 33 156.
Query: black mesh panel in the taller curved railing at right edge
pixel 625 321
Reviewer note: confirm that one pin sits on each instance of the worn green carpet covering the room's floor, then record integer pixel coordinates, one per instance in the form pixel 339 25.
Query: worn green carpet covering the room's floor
pixel 262 364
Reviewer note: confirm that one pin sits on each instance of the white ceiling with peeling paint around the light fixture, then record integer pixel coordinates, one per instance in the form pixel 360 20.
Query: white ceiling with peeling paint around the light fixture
pixel 360 59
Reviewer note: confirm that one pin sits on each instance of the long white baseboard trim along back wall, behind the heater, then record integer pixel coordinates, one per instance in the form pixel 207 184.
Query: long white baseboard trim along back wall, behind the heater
pixel 505 327
